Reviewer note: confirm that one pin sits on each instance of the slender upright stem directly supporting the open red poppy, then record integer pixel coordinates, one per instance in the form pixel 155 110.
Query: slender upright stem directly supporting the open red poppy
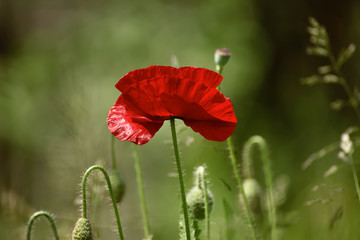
pixel 181 180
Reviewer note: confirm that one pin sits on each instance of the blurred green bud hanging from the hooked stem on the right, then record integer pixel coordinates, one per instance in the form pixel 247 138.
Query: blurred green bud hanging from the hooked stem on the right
pixel 252 192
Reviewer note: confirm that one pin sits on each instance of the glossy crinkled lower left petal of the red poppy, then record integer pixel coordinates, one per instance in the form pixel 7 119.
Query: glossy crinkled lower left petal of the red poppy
pixel 127 123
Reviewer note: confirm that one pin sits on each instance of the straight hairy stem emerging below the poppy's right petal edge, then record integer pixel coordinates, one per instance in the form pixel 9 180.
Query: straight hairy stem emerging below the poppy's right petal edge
pixel 241 188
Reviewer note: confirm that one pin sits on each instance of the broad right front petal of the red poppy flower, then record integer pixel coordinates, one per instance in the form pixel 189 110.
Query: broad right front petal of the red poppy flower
pixel 204 109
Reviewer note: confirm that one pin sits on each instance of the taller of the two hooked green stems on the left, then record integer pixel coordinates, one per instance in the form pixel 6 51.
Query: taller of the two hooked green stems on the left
pixel 108 182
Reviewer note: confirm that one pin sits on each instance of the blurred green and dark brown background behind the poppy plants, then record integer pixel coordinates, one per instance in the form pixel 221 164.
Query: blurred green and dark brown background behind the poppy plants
pixel 60 60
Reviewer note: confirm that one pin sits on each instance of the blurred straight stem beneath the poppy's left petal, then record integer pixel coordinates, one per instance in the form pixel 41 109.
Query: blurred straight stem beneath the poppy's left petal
pixel 139 179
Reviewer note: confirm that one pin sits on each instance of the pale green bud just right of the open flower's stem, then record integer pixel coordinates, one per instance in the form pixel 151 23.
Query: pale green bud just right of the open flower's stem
pixel 196 201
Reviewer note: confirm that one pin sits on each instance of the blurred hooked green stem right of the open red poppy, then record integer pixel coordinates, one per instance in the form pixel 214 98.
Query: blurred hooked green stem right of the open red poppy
pixel 268 176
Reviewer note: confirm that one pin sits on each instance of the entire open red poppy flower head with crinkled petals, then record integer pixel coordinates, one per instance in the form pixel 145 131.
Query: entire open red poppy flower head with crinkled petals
pixel 155 94
